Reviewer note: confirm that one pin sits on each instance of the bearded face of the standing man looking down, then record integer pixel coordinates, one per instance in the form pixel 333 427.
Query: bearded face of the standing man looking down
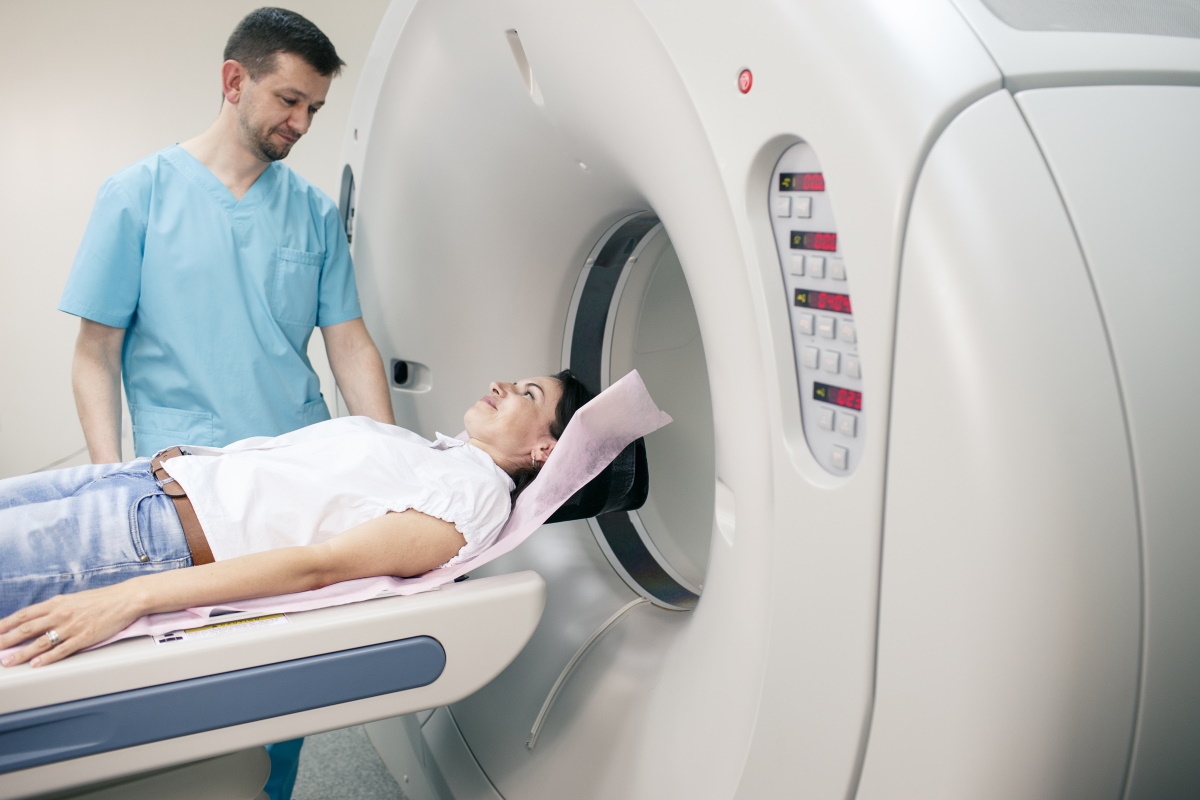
pixel 275 111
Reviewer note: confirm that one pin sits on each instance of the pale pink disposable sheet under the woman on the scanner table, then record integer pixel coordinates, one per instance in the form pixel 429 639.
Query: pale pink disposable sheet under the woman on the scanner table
pixel 595 437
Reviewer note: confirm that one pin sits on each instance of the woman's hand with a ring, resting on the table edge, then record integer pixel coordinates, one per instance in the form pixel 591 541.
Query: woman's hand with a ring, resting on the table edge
pixel 67 624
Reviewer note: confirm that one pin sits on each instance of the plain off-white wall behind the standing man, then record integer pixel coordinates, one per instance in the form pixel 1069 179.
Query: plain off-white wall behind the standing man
pixel 89 88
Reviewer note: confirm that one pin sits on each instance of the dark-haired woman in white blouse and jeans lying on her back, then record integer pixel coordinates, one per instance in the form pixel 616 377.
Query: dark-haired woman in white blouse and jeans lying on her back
pixel 88 551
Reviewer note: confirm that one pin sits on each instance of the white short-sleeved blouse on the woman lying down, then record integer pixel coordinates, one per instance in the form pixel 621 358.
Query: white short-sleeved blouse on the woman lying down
pixel 310 485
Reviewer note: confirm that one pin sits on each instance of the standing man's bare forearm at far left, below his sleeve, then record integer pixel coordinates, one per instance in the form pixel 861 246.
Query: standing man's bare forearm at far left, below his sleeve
pixel 97 380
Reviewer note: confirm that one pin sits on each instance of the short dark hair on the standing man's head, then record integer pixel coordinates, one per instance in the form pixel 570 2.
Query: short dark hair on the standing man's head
pixel 267 32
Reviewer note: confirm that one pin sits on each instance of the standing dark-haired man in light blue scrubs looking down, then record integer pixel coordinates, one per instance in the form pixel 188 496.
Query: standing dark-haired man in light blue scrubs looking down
pixel 206 268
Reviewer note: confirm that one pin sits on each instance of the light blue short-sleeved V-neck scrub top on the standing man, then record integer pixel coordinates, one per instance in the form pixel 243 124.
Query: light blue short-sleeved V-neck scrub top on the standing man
pixel 219 297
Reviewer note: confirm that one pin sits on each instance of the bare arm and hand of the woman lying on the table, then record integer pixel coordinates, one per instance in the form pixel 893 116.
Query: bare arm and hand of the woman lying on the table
pixel 404 545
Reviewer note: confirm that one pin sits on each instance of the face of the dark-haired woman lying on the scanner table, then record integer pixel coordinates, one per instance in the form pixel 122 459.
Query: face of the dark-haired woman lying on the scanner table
pixel 514 419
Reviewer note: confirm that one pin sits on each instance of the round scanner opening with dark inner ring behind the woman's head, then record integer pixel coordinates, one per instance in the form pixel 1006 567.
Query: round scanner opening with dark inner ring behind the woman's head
pixel 632 310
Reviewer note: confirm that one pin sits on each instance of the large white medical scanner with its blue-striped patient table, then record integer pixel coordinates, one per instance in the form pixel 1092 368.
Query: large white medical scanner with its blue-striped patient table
pixel 915 281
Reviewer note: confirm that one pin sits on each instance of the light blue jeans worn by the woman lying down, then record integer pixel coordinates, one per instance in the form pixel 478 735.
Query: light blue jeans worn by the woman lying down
pixel 81 528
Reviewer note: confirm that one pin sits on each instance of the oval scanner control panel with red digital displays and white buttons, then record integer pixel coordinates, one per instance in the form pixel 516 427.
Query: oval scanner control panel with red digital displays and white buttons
pixel 825 335
